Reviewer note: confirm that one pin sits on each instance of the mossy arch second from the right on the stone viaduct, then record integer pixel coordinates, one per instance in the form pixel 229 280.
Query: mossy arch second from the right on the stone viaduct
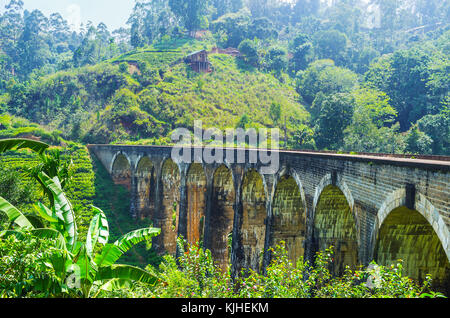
pixel 334 224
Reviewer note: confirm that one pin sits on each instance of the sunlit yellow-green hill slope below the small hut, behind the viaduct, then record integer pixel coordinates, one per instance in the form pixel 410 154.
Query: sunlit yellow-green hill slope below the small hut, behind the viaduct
pixel 145 94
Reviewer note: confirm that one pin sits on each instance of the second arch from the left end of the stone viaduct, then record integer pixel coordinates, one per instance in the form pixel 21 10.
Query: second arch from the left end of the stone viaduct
pixel 146 186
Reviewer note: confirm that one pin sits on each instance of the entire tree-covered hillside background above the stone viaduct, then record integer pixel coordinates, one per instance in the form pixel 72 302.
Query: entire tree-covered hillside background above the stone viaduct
pixel 361 76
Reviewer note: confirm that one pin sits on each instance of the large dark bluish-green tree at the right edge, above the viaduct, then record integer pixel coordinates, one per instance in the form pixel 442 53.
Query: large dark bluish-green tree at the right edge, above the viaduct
pixel 409 77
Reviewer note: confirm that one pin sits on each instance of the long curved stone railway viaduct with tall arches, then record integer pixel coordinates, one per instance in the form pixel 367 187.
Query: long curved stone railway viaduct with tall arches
pixel 369 207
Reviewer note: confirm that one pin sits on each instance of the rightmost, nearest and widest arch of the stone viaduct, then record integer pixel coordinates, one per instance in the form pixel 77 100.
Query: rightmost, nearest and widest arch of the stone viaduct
pixel 418 236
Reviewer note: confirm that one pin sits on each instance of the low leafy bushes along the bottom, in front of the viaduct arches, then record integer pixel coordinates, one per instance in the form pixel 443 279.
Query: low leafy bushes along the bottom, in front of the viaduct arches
pixel 194 275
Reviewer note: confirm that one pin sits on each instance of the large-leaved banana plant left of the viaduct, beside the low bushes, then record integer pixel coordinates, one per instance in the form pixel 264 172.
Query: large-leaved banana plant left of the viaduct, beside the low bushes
pixel 90 268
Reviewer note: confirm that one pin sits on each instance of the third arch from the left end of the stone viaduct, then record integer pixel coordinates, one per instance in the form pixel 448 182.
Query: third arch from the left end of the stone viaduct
pixel 168 215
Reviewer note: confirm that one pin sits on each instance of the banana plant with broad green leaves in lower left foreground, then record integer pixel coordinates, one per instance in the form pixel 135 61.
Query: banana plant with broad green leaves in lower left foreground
pixel 77 267
